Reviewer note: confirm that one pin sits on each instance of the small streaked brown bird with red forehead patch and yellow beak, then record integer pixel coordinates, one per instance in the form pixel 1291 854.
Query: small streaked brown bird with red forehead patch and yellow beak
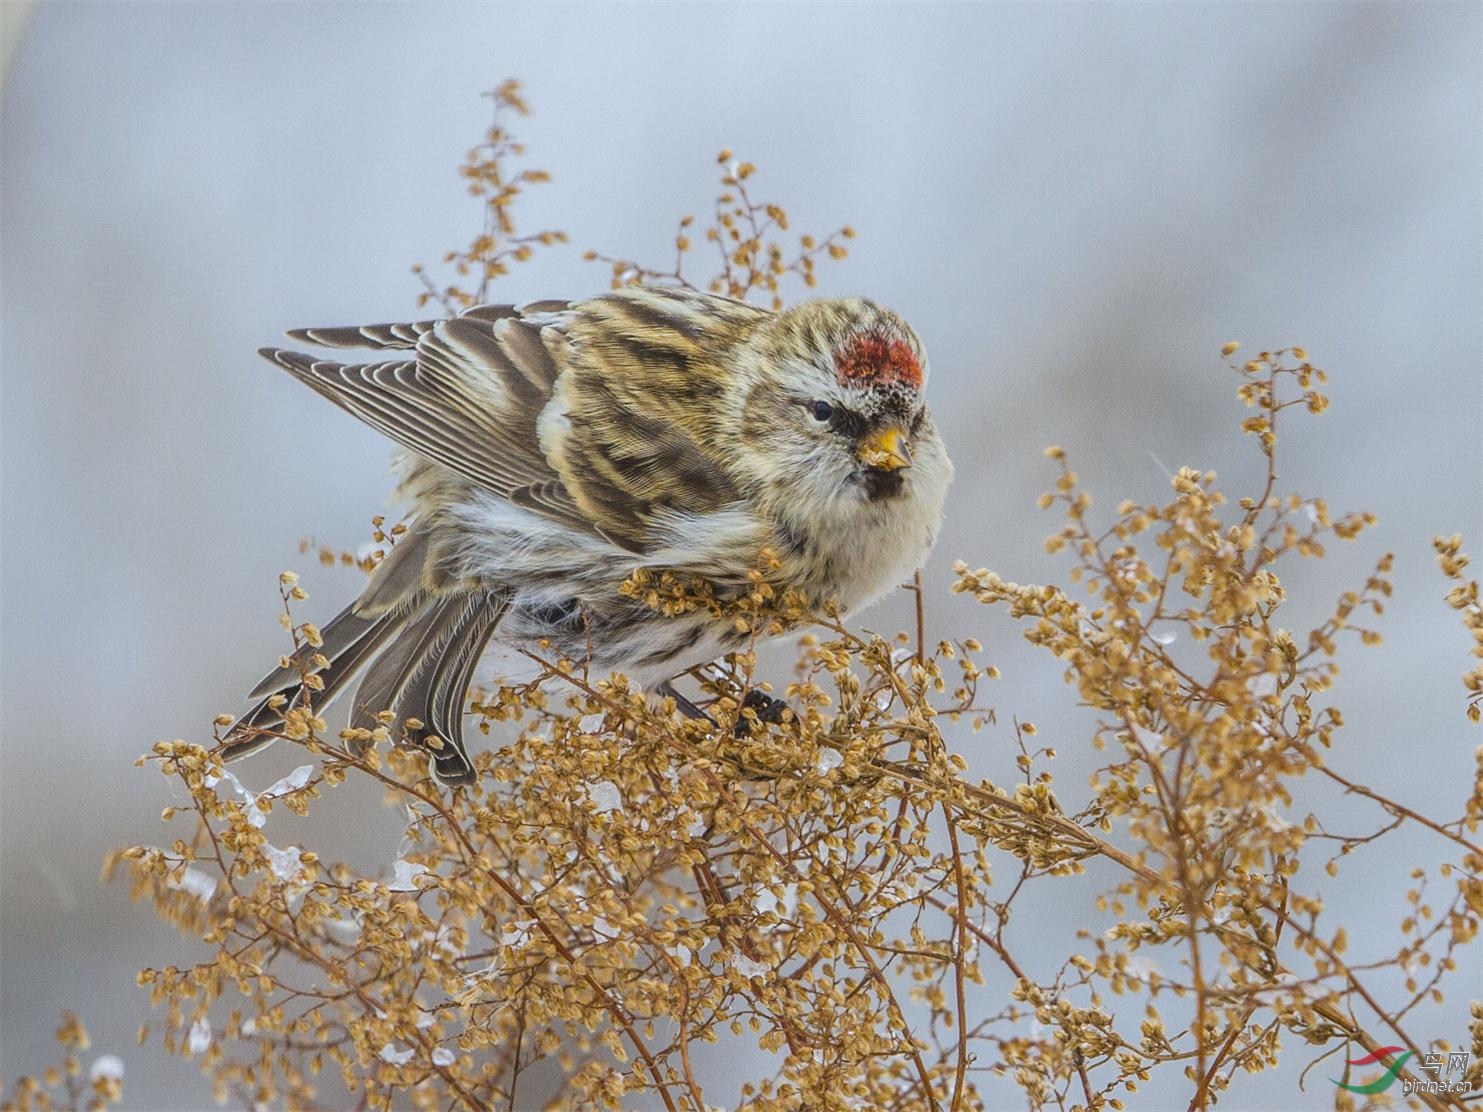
pixel 552 450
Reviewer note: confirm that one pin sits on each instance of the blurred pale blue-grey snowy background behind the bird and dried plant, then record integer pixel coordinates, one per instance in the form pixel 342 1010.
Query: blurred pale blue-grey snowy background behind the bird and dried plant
pixel 1074 205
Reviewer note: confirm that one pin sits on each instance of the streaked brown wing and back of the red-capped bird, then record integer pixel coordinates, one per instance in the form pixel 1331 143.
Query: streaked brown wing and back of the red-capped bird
pixel 579 411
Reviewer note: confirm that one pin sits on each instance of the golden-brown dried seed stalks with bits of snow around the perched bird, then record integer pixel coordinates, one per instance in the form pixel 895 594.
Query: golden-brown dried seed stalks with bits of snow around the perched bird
pixel 625 887
